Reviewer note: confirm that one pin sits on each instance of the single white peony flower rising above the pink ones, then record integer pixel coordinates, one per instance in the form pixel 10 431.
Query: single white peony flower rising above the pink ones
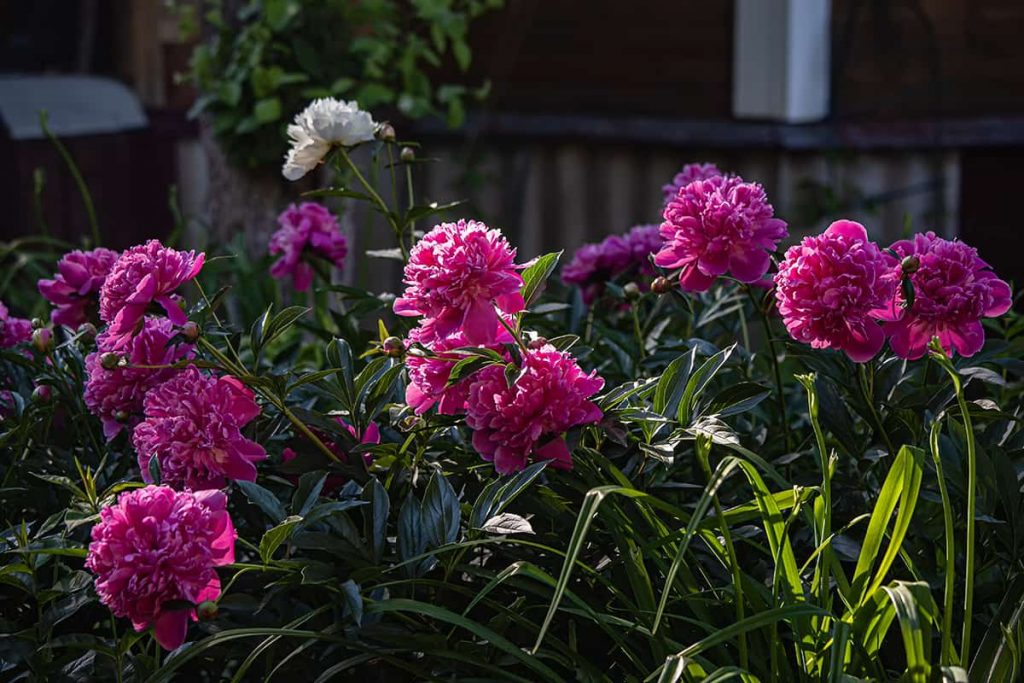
pixel 324 123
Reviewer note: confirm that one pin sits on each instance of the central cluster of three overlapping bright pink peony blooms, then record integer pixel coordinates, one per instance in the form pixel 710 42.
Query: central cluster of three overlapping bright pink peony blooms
pixel 462 278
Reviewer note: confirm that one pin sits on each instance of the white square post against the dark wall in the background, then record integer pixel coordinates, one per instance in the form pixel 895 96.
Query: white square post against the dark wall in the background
pixel 782 55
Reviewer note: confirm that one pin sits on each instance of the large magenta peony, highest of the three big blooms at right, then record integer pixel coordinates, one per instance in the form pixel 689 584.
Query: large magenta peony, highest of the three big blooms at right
pixel 716 227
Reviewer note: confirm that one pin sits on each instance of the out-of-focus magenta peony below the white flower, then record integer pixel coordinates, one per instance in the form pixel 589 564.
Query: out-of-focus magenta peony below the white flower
pixel 307 229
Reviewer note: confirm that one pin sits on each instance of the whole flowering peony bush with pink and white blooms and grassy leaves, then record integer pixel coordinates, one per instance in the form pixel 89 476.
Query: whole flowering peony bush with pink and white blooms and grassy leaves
pixel 697 455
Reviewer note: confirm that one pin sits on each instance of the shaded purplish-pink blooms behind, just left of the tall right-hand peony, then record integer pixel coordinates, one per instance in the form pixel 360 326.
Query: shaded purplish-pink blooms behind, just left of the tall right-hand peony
pixel 595 265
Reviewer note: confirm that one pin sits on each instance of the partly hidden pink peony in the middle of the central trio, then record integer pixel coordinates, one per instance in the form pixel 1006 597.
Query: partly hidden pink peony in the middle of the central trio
pixel 429 376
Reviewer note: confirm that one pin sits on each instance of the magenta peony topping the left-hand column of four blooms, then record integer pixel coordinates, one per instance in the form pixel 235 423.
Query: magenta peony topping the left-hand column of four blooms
pixel 146 275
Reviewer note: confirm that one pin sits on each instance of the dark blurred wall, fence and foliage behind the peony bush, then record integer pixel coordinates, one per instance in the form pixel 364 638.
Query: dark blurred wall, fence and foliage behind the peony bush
pixel 559 120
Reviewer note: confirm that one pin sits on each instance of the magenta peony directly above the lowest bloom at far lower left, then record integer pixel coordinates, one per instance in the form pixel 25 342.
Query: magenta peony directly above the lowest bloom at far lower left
pixel 193 428
